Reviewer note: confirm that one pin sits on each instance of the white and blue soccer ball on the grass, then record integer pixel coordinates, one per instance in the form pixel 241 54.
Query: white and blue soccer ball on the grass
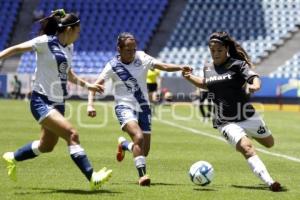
pixel 201 173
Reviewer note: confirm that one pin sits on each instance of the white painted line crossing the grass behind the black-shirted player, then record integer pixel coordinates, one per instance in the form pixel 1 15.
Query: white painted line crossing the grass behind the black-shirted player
pixel 222 139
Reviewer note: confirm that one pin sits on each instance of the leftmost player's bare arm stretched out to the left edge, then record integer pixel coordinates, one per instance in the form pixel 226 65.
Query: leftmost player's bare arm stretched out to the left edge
pixel 16 49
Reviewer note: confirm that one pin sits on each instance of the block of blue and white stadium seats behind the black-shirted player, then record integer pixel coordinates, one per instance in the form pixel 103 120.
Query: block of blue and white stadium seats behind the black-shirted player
pixel 259 25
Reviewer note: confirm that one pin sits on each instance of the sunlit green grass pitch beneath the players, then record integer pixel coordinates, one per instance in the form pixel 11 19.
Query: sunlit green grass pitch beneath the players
pixel 179 139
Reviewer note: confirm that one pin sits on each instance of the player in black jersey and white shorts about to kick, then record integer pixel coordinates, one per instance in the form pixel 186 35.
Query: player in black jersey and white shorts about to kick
pixel 227 78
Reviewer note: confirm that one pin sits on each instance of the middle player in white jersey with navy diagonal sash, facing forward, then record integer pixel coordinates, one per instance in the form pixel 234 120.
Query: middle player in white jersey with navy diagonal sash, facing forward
pixel 128 71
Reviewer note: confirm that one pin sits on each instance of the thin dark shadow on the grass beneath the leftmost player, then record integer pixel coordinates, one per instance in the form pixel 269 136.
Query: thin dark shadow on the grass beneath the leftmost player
pixel 65 191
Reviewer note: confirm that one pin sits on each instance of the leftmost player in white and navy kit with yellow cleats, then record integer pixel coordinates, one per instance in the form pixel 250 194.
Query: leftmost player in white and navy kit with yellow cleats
pixel 54 50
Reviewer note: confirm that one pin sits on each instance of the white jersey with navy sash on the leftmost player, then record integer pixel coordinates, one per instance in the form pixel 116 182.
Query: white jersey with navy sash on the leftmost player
pixel 53 63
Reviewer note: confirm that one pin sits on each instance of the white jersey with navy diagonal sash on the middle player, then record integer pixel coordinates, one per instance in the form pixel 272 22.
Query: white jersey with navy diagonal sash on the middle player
pixel 129 81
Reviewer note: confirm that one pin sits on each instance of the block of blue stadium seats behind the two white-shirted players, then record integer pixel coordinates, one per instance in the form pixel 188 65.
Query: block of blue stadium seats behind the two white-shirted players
pixel 101 22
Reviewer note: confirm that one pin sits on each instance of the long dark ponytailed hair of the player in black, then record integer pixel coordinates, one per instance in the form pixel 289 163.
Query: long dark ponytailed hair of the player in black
pixel 235 50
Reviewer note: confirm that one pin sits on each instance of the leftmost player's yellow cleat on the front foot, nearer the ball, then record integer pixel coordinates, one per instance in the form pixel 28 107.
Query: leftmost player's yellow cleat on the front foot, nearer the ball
pixel 99 178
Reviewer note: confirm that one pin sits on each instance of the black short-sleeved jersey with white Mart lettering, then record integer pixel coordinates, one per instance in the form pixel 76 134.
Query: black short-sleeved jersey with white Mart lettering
pixel 226 85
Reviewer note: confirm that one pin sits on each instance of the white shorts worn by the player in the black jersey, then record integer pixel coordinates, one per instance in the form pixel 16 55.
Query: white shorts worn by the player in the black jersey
pixel 254 127
